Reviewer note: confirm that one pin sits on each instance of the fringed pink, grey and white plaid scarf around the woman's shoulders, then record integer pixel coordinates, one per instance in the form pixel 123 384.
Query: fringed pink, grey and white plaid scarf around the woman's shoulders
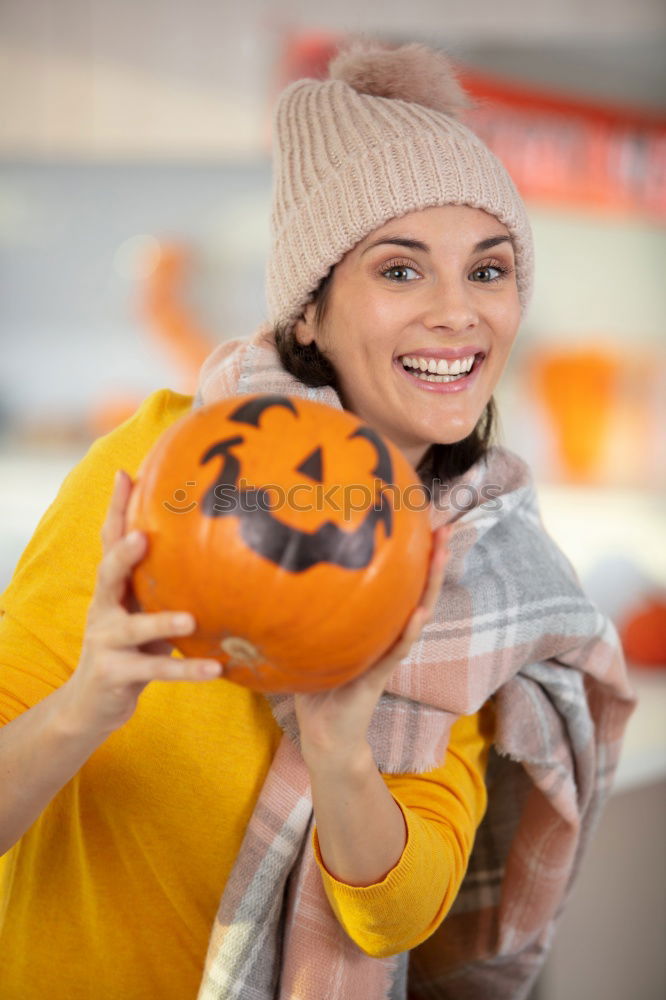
pixel 511 623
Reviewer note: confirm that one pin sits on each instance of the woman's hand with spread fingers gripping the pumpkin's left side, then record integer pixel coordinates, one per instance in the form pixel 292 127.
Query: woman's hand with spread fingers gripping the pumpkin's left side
pixel 123 648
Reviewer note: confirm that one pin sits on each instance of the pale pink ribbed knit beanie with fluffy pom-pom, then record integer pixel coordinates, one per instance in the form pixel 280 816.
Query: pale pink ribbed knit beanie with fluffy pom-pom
pixel 375 141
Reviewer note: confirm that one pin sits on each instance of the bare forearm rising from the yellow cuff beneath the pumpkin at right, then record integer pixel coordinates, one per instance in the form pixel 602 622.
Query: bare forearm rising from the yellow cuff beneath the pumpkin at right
pixel 360 827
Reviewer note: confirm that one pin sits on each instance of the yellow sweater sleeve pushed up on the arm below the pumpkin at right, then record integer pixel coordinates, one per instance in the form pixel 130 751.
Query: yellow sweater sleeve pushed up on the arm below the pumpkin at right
pixel 442 810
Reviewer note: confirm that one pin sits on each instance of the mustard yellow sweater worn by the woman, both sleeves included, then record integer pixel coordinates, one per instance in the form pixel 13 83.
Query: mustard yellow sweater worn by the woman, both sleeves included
pixel 112 892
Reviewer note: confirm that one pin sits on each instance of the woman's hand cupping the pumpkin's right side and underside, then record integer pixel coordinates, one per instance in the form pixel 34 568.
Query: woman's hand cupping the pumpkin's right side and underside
pixel 334 724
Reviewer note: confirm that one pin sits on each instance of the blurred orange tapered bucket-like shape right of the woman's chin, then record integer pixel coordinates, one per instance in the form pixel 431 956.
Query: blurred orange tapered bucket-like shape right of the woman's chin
pixel 578 388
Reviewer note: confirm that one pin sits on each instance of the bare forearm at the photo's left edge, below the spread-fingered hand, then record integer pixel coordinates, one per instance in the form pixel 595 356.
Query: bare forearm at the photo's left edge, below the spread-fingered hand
pixel 39 753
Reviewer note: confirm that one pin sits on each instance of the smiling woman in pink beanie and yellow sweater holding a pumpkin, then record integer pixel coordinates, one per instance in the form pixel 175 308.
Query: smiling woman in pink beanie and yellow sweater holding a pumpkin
pixel 335 827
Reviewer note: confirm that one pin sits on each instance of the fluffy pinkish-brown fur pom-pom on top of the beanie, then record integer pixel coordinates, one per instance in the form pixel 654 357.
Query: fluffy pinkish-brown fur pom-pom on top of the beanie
pixel 410 73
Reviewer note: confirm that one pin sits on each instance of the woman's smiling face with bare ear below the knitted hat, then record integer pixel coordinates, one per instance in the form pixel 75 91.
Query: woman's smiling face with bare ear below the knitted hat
pixel 432 289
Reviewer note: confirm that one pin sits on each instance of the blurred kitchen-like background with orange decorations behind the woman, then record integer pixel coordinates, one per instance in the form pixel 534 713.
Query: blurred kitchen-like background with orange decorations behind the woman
pixel 134 209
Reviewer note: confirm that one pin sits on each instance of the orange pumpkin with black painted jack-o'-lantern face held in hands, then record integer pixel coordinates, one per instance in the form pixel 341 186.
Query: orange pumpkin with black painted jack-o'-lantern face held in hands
pixel 296 535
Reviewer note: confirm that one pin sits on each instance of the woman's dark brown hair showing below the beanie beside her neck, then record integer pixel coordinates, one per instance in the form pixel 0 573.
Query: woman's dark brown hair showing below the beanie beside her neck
pixel 307 363
